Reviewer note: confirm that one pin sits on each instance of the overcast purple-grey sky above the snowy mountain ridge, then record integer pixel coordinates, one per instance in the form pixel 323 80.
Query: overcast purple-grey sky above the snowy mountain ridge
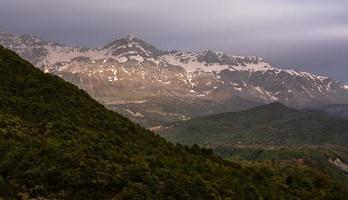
pixel 309 35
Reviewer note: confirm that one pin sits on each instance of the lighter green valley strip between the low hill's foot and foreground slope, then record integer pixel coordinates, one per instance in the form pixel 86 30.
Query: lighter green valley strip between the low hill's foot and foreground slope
pixel 330 158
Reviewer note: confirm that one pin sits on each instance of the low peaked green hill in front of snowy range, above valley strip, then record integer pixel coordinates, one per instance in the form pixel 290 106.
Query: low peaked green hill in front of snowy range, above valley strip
pixel 273 124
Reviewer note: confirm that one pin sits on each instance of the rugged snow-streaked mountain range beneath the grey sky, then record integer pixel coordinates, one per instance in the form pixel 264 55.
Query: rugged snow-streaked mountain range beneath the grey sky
pixel 153 87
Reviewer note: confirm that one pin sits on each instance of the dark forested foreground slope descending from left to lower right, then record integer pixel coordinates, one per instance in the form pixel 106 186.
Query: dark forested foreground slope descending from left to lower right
pixel 58 143
